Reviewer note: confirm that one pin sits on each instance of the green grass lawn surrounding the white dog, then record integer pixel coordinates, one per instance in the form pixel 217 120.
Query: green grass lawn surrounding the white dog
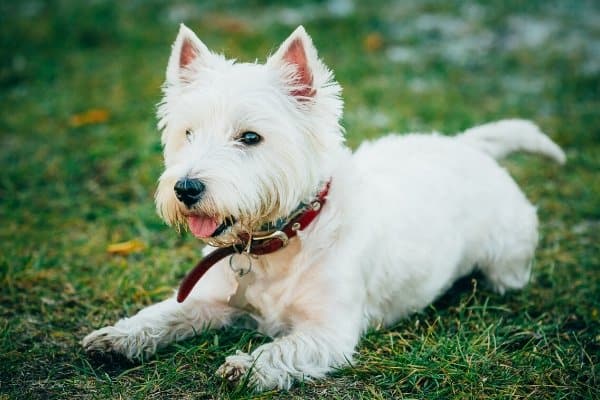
pixel 80 155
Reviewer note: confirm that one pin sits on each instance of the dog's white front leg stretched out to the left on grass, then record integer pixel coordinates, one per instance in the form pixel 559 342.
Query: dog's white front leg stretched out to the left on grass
pixel 160 324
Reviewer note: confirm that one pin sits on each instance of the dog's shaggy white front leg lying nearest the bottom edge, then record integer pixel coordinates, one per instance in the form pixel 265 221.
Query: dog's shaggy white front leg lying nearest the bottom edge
pixel 301 355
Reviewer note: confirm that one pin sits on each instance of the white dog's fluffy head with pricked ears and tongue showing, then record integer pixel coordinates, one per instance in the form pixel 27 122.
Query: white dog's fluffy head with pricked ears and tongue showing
pixel 244 143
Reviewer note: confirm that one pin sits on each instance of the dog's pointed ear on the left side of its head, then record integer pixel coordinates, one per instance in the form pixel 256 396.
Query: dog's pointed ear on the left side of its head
pixel 187 50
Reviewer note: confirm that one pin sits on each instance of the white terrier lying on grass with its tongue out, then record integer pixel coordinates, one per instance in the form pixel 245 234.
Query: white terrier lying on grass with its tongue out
pixel 252 149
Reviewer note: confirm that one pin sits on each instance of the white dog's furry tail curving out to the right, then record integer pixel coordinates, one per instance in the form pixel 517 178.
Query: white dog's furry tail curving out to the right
pixel 501 138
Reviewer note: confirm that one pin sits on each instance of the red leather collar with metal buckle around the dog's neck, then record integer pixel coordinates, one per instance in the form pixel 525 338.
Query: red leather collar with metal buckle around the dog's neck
pixel 259 245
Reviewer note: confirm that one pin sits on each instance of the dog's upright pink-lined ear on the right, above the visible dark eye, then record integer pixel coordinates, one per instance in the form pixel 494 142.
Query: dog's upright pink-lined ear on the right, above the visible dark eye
pixel 299 52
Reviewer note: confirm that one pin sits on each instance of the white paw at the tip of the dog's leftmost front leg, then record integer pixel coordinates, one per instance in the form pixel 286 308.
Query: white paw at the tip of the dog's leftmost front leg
pixel 112 340
